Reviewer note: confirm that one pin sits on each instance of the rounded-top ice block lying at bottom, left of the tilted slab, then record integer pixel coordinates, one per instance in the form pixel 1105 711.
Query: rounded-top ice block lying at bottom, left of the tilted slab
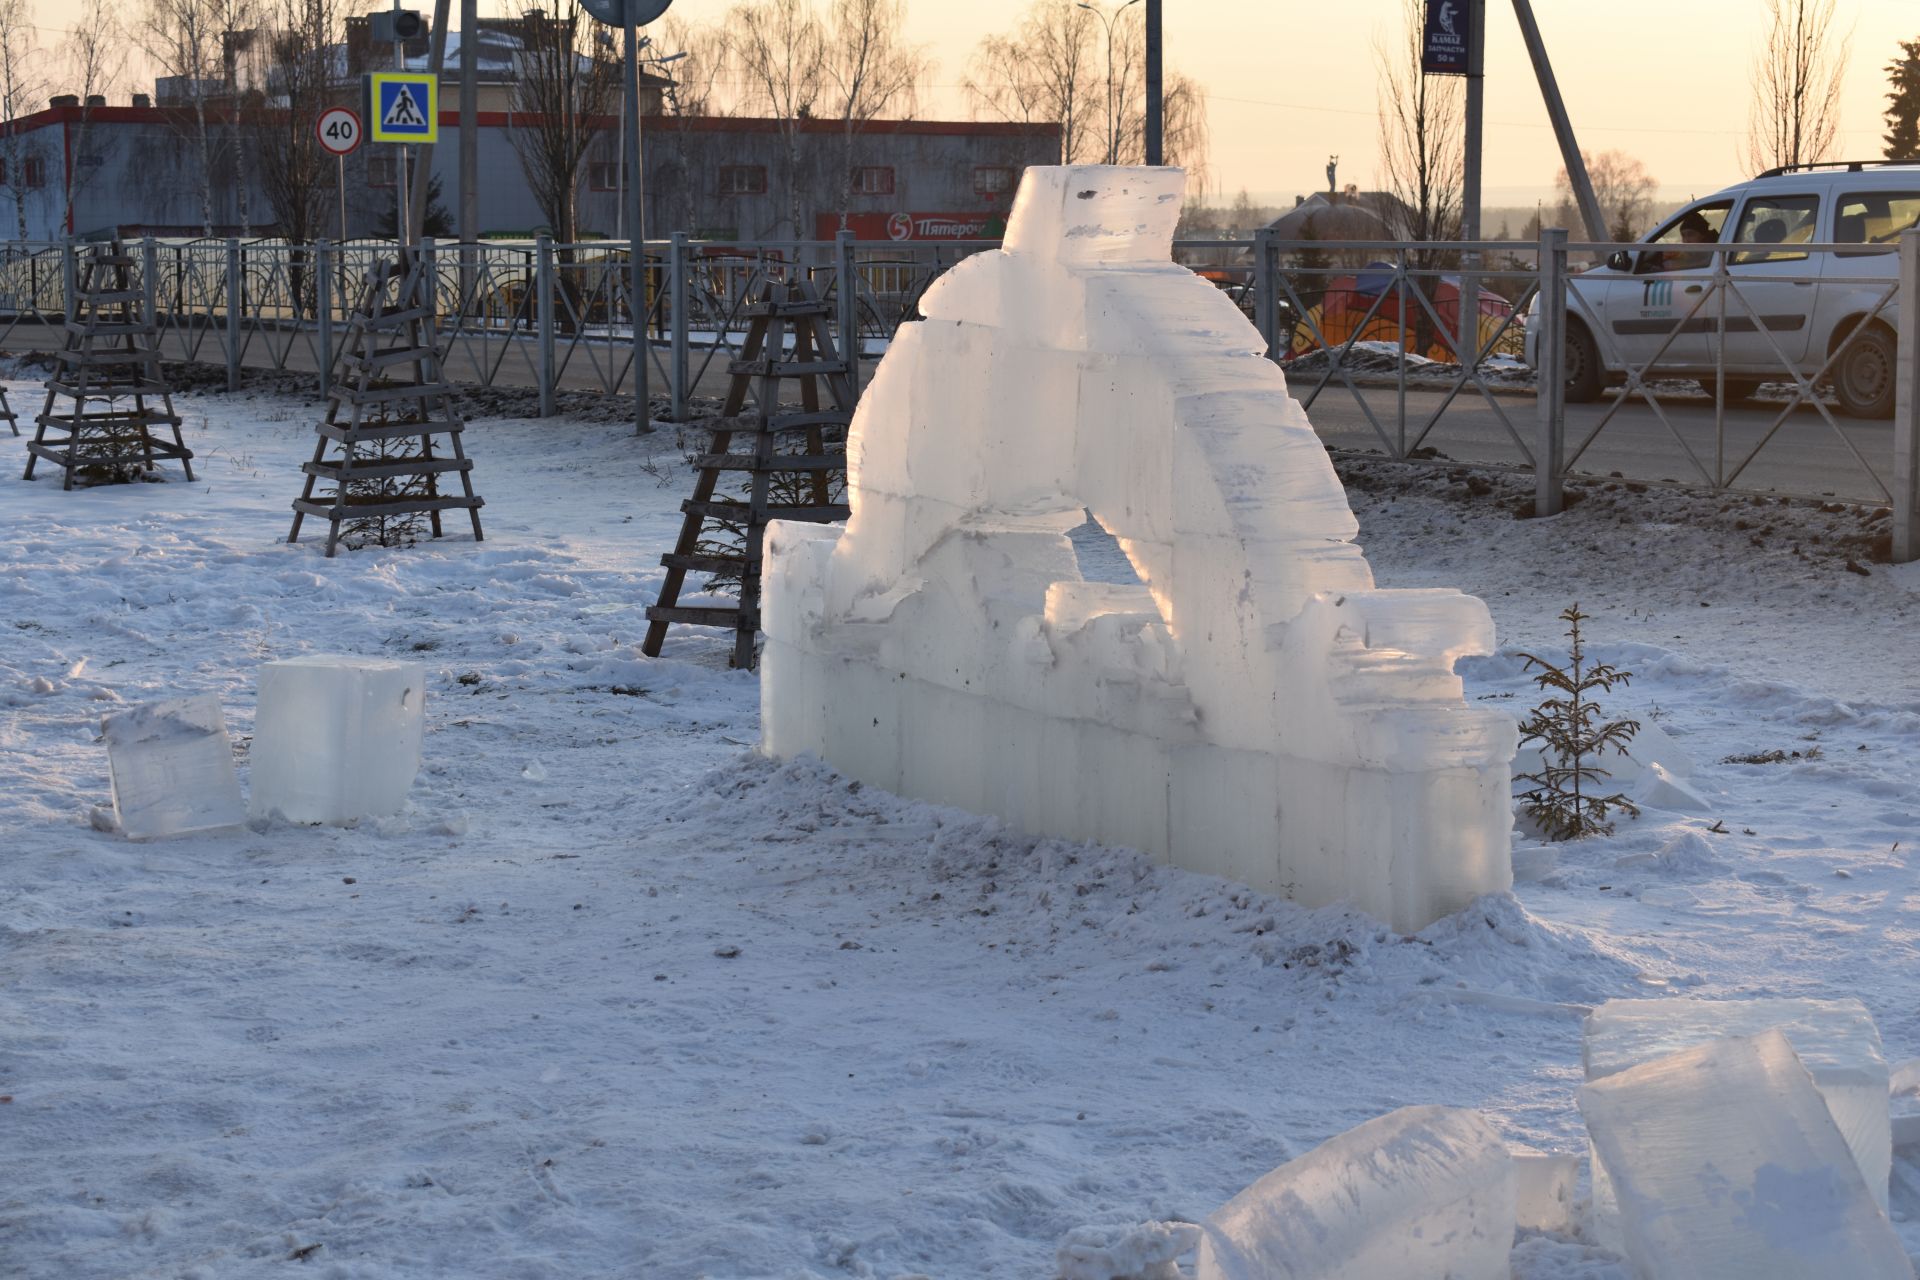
pixel 1416 1195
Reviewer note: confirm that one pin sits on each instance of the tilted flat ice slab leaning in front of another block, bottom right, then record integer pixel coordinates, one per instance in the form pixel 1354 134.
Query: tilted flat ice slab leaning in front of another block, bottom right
pixel 1729 1166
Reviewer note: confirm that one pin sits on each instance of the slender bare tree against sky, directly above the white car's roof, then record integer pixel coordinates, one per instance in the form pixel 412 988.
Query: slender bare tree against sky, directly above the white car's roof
pixel 1796 85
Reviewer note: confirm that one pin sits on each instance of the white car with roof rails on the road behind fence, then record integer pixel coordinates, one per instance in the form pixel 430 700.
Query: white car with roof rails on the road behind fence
pixel 1798 306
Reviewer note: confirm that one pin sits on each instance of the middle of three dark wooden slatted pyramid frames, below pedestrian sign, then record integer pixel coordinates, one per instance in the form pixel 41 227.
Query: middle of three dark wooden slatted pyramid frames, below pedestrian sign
pixel 368 410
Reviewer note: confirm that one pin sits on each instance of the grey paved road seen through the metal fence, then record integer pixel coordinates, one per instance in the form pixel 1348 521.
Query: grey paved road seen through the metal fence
pixel 1804 458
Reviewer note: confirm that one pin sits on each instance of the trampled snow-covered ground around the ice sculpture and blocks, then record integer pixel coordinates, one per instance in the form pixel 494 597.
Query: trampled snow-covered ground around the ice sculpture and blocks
pixel 621 999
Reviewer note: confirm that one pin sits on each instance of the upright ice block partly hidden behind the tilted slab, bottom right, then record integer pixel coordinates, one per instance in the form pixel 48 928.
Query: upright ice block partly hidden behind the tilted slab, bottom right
pixel 1835 1039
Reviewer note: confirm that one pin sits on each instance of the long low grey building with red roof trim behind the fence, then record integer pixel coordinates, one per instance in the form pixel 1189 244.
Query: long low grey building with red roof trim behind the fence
pixel 135 170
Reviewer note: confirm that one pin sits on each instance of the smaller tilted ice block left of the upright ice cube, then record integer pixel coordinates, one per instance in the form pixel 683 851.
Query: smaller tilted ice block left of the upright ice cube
pixel 172 769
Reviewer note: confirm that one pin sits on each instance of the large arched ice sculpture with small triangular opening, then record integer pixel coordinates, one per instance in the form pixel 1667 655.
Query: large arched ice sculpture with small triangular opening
pixel 1255 711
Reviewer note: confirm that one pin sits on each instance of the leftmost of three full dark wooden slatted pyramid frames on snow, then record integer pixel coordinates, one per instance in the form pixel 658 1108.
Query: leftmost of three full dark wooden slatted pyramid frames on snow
pixel 110 358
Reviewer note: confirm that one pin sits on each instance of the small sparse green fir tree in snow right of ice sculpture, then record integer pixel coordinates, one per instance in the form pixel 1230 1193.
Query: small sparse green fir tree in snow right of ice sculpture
pixel 1566 794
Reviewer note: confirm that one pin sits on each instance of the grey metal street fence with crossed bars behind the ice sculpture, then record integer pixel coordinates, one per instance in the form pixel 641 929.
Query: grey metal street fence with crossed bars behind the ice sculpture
pixel 1404 350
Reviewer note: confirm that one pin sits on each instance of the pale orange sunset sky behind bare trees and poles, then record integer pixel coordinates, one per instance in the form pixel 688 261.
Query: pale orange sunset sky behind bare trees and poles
pixel 1293 82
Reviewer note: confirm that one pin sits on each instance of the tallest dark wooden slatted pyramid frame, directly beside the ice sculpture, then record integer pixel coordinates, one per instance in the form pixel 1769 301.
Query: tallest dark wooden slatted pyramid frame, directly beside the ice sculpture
pixel 821 435
